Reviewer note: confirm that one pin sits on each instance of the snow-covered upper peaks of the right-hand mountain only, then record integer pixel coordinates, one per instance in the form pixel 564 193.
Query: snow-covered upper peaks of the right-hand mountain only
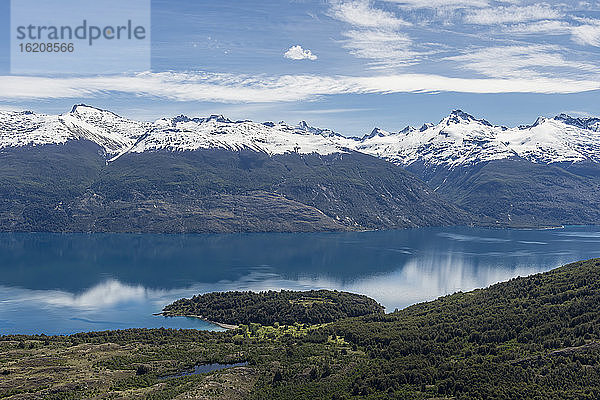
pixel 460 139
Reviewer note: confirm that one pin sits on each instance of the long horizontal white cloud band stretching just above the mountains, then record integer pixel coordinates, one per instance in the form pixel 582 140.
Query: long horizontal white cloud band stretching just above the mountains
pixel 229 88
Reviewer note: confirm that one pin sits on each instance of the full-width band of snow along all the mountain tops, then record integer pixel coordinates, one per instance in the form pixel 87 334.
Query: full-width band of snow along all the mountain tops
pixel 457 140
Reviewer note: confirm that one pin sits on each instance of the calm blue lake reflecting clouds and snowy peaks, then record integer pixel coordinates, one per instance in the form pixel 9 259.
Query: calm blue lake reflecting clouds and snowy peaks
pixel 65 283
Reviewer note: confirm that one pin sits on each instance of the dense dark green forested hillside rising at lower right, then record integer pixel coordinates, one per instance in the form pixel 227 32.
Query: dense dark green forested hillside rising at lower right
pixel 529 338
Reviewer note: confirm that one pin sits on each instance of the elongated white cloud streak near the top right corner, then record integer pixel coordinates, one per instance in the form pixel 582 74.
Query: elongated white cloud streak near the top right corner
pixel 512 14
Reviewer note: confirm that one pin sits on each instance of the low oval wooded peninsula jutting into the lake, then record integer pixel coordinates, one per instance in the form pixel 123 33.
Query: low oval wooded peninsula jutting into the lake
pixel 285 307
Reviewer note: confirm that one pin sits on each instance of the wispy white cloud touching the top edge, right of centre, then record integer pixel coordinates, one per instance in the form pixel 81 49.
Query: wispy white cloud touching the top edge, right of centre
pixel 361 14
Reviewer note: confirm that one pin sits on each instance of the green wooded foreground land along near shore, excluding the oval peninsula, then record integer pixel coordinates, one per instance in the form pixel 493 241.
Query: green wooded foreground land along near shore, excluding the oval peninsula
pixel 536 337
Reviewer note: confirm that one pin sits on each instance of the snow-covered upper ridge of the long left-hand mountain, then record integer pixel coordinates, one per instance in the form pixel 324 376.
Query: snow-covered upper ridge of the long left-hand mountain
pixel 117 135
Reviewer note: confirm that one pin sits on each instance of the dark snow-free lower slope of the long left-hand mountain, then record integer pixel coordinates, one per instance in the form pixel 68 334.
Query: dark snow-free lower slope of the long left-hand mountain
pixel 71 188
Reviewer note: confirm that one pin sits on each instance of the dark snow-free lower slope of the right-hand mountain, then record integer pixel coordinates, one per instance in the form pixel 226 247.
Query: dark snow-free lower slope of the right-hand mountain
pixel 516 192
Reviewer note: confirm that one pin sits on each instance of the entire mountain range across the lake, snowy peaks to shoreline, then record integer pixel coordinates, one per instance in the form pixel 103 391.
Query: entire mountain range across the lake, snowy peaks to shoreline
pixel 91 170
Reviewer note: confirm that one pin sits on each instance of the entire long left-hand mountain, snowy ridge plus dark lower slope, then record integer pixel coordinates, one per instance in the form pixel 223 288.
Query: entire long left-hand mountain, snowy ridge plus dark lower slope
pixel 91 170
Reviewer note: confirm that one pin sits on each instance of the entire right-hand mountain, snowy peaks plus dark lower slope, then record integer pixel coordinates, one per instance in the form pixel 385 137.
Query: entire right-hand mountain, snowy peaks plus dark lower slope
pixel 543 174
